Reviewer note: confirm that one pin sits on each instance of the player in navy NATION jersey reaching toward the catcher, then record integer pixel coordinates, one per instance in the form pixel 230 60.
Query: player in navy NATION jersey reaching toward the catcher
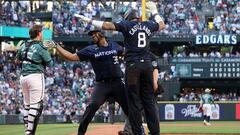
pixel 103 56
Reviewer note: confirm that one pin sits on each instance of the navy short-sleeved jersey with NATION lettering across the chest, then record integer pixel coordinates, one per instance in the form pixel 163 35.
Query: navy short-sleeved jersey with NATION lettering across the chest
pixel 104 60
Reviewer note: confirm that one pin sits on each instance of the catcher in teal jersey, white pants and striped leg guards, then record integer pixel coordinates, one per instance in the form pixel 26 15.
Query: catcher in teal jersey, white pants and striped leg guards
pixel 34 57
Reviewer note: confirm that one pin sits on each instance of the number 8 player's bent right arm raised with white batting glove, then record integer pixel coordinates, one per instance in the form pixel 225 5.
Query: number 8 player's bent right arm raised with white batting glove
pixel 151 6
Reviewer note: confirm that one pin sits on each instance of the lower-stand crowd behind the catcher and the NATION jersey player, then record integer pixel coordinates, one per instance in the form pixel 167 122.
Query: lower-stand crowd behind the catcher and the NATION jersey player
pixel 68 88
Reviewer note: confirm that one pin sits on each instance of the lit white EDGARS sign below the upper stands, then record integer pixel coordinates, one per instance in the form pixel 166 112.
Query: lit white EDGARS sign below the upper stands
pixel 216 39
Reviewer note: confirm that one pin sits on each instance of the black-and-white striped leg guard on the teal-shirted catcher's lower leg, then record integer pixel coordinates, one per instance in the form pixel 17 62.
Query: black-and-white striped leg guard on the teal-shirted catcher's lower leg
pixel 33 116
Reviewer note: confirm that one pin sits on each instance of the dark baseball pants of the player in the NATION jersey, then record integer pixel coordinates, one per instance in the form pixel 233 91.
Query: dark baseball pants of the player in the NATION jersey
pixel 102 91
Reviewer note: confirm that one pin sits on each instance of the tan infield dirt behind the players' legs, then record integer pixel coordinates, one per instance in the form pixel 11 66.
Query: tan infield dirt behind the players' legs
pixel 108 129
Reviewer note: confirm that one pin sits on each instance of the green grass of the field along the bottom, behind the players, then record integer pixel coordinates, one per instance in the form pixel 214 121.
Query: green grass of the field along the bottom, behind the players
pixel 166 127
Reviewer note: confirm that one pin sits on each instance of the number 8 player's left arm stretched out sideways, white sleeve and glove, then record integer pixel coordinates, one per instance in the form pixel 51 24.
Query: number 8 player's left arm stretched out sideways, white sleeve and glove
pixel 99 24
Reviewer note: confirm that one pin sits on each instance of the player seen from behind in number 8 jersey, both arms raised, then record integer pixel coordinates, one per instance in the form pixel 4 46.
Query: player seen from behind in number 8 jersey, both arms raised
pixel 138 64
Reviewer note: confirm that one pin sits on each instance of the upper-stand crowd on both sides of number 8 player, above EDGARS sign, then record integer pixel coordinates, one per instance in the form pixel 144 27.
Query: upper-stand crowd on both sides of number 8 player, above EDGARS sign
pixel 181 16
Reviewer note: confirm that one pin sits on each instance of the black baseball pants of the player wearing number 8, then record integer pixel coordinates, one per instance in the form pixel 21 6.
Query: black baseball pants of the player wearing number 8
pixel 139 74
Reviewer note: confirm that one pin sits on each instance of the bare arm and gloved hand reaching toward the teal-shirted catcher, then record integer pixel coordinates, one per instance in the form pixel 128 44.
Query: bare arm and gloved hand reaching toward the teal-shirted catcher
pixel 64 53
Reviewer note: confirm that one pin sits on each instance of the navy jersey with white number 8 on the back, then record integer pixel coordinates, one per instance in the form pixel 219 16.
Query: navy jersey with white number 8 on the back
pixel 136 38
